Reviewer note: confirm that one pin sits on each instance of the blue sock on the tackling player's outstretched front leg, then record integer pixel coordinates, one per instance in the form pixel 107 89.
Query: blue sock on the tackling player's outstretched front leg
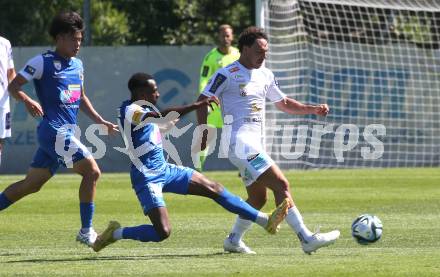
pixel 236 205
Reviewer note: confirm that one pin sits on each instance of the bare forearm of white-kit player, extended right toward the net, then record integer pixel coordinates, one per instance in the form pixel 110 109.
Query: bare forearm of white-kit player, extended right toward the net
pixel 291 106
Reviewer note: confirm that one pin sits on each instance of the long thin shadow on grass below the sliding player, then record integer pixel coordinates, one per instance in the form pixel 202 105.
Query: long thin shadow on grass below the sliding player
pixel 122 258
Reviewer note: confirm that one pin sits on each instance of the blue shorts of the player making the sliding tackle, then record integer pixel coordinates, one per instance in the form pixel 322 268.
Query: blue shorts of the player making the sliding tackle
pixel 149 189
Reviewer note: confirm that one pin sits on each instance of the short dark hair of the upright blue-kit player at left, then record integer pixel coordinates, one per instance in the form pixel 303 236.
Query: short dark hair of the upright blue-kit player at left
pixel 65 23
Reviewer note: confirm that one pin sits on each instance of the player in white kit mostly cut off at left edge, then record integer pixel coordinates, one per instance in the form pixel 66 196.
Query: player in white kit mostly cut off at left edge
pixel 7 73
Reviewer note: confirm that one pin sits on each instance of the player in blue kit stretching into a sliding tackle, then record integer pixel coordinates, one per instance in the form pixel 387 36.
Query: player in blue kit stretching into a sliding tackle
pixel 151 175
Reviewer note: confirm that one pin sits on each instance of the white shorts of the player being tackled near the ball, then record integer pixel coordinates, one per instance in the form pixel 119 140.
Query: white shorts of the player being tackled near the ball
pixel 251 167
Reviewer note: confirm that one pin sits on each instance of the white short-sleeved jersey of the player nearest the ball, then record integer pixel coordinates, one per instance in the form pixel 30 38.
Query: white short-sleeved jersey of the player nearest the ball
pixel 242 93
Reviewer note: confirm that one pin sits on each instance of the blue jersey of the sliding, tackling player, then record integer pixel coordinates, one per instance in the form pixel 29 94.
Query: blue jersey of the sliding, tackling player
pixel 146 141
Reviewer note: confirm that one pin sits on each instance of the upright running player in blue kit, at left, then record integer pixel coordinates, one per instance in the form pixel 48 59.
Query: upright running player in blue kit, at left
pixel 58 80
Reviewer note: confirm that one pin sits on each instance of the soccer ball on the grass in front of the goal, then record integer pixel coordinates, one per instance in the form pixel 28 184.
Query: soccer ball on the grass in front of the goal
pixel 366 229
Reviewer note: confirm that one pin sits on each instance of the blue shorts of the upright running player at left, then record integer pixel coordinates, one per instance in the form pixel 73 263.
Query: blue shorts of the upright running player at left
pixel 47 156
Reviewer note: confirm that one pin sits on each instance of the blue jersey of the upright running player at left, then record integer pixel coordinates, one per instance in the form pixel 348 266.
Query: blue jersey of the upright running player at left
pixel 59 84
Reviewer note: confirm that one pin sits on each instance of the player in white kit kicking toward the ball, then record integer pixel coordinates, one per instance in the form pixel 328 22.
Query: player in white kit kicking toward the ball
pixel 242 88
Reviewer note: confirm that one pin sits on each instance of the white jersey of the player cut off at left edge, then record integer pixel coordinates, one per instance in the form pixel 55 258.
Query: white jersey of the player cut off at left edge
pixel 6 63
